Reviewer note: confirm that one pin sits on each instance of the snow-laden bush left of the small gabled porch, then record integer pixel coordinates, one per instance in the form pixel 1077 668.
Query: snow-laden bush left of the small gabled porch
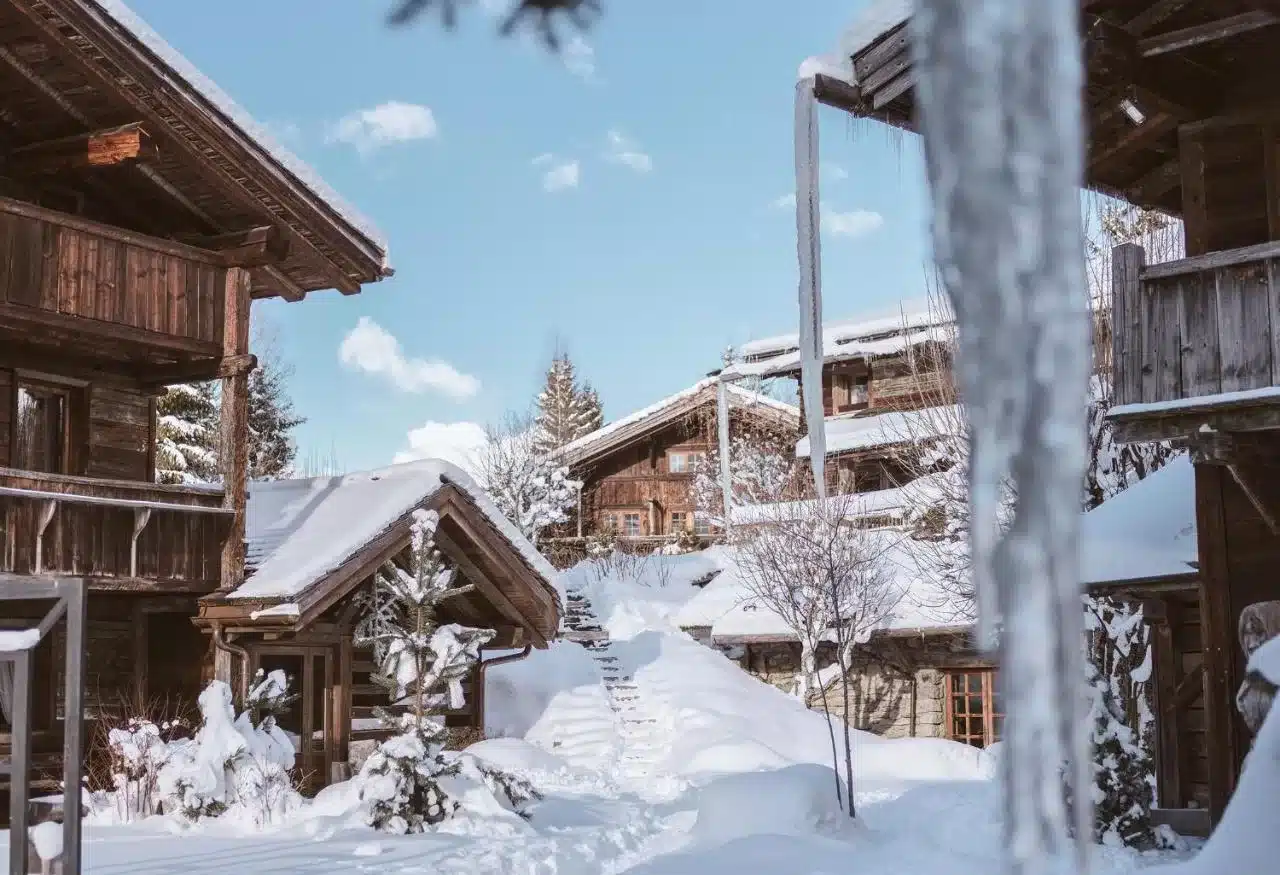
pixel 239 766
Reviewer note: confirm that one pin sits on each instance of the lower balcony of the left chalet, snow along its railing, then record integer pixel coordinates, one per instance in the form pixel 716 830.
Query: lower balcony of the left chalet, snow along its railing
pixel 144 538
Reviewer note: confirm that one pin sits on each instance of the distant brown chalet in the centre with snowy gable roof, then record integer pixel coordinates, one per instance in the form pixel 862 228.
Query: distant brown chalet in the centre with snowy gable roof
pixel 638 471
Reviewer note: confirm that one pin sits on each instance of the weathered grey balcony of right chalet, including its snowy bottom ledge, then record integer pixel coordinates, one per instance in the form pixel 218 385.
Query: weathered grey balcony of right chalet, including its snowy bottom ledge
pixel 1196 343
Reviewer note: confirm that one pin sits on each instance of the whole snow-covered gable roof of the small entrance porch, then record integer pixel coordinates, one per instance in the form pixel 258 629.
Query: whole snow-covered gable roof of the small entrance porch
pixel 313 543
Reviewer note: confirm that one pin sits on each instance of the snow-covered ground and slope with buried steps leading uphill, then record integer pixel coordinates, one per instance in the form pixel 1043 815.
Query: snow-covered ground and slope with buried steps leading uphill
pixel 680 764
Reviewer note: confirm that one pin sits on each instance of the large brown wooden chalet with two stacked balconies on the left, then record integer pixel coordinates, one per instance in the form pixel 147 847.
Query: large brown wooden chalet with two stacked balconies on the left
pixel 141 216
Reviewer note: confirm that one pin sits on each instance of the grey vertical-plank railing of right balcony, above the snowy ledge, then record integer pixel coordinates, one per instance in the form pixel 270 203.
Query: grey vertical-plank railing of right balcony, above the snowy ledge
pixel 1196 328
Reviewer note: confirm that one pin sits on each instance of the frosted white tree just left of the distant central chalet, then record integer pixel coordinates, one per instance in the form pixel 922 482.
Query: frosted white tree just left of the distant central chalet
pixel 531 488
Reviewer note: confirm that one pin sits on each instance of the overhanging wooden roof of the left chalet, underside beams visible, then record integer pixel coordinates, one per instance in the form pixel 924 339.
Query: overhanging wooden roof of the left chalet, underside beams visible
pixel 68 70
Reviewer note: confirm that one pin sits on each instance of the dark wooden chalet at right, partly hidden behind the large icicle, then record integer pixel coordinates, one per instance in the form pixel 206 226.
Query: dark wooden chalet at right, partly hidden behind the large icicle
pixel 1185 117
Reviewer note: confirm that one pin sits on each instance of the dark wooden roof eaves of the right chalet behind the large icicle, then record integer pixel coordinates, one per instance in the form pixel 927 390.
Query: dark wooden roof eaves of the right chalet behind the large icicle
pixel 1154 66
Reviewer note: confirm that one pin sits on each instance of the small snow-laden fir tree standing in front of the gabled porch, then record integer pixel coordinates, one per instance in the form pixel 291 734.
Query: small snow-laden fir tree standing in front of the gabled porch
pixel 408 784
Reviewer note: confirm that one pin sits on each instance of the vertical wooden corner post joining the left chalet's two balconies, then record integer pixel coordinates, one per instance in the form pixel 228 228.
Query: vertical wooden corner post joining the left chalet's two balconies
pixel 234 451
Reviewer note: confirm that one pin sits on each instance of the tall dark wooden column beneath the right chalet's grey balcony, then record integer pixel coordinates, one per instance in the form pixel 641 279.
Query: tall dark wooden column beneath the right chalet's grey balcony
pixel 1219 634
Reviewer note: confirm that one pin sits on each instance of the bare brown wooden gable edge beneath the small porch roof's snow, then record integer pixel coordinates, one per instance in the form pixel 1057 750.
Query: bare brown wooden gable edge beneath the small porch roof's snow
pixel 510 597
